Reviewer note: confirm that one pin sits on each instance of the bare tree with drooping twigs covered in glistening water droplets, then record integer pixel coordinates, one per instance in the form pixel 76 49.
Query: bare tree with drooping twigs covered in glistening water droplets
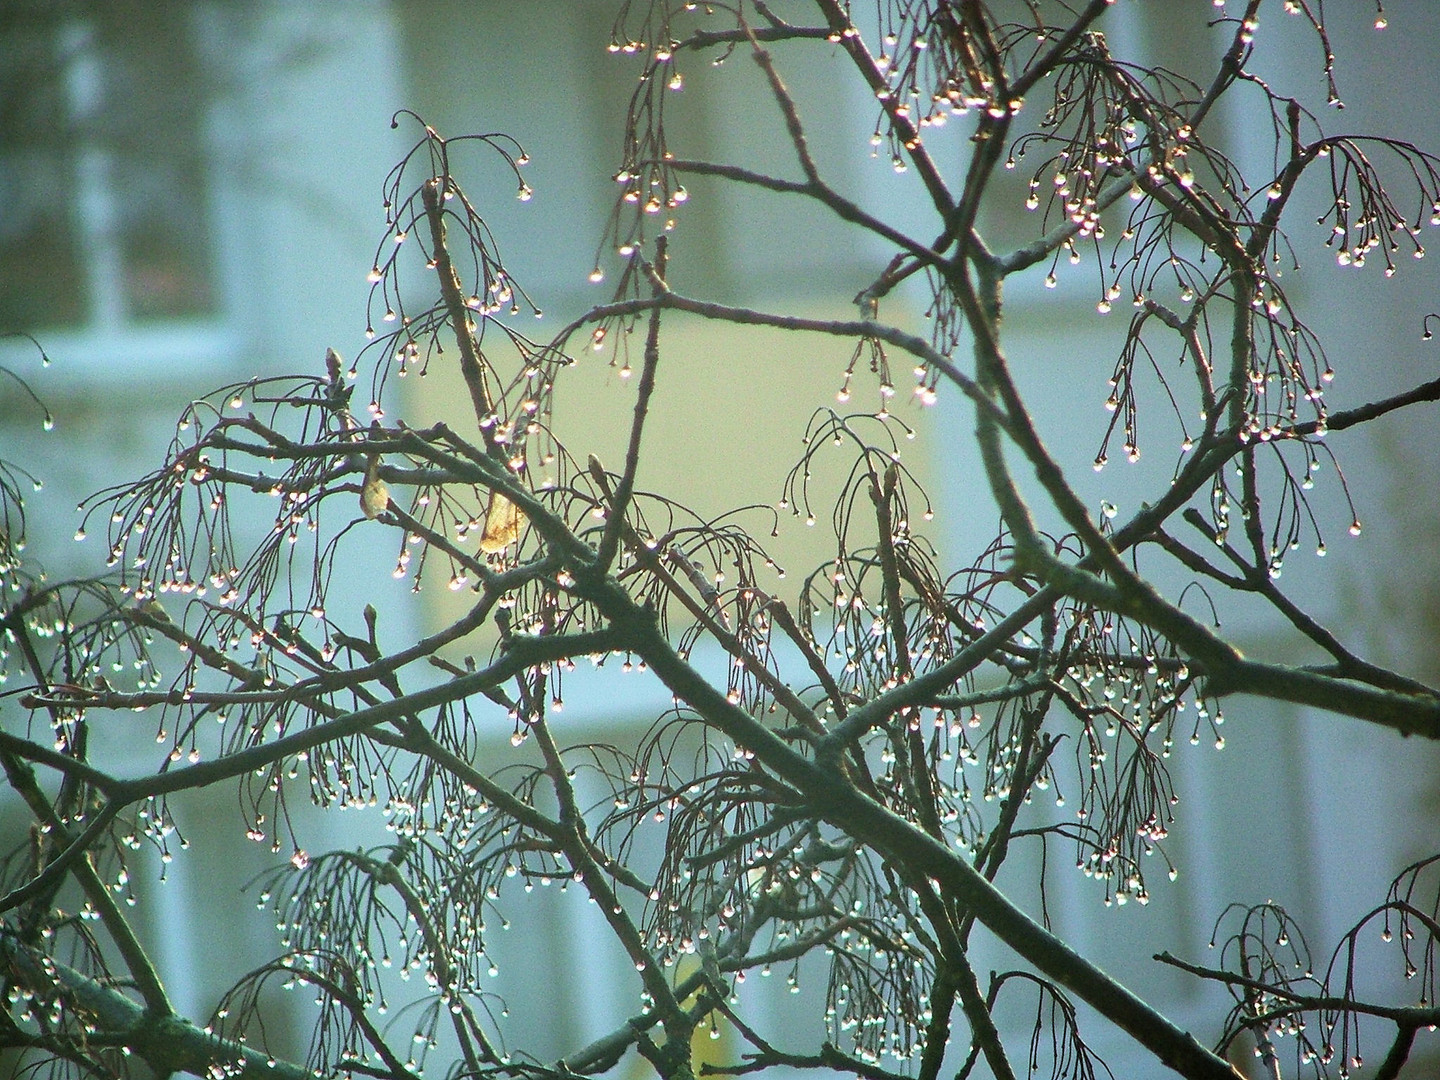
pixel 846 791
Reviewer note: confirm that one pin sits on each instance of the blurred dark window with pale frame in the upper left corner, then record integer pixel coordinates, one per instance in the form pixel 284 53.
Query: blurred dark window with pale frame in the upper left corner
pixel 103 174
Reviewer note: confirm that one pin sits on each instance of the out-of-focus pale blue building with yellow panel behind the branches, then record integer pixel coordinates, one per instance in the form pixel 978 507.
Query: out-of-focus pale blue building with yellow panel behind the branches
pixel 191 195
